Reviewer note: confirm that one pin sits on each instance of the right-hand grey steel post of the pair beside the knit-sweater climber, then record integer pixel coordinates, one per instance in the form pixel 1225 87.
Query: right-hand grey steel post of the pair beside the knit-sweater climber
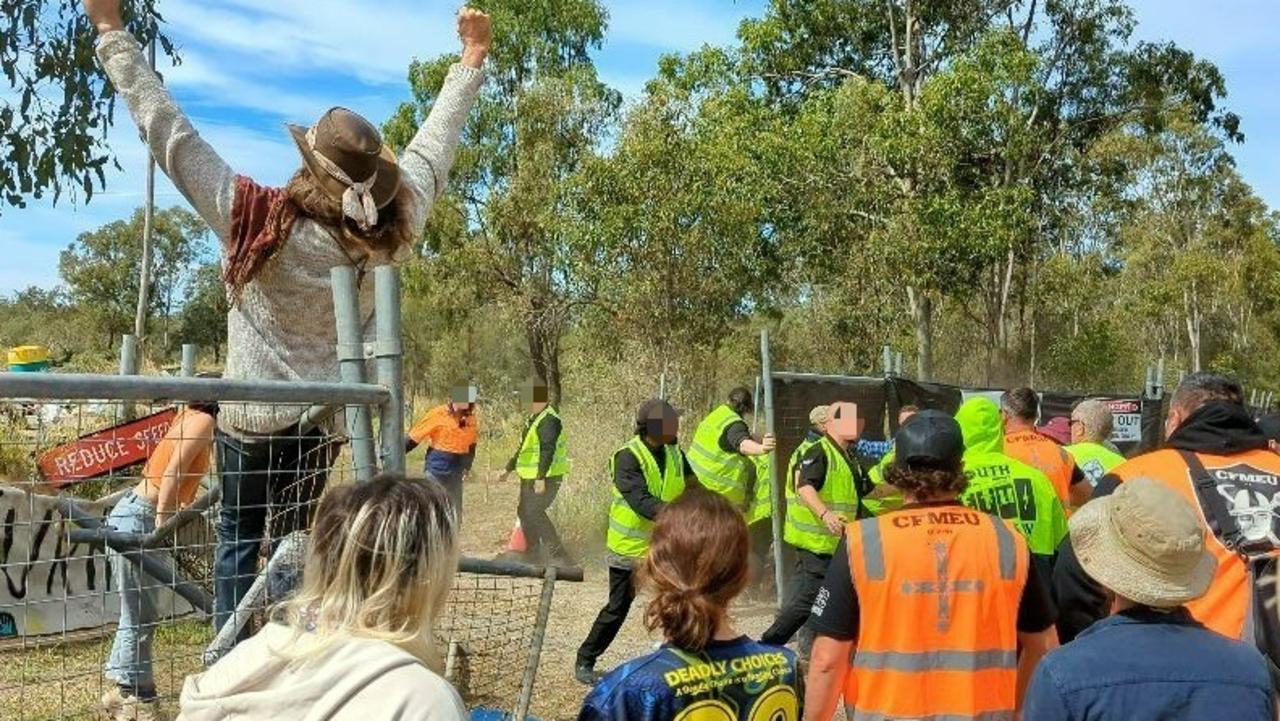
pixel 391 366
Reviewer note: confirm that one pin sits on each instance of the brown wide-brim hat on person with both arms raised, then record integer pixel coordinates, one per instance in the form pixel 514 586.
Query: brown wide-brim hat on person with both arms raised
pixel 355 145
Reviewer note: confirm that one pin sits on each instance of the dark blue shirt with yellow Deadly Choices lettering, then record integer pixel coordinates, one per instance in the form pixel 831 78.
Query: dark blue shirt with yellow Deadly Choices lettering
pixel 732 681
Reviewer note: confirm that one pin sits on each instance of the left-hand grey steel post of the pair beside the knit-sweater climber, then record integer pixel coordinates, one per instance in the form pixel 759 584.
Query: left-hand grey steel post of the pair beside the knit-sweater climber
pixel 351 367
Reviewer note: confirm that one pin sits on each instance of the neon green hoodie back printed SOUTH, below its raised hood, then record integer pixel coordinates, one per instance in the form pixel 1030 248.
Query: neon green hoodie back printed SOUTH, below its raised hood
pixel 1018 494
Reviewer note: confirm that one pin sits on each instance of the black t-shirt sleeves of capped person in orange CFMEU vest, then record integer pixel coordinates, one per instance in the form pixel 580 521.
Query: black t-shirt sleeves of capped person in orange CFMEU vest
pixel 835 612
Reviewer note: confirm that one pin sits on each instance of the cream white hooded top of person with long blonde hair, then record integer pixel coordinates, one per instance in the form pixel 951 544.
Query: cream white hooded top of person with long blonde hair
pixel 355 679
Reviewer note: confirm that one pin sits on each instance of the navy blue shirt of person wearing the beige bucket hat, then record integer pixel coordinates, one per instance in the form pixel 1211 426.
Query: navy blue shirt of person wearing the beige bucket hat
pixel 1144 665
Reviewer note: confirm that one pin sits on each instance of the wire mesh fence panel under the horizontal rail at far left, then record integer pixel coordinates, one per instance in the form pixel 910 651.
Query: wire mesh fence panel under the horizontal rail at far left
pixel 109 545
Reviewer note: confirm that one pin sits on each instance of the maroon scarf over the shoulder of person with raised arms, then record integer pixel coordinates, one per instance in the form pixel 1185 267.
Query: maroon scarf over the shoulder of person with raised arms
pixel 262 222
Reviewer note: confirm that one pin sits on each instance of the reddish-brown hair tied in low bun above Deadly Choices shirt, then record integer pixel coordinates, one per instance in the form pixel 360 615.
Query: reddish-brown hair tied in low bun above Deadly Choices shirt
pixel 697 565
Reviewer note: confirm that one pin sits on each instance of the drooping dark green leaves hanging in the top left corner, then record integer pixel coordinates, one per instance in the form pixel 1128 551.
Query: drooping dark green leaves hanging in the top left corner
pixel 57 108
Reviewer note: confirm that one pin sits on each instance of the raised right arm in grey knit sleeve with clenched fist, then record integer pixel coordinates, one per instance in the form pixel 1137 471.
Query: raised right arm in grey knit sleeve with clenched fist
pixel 429 157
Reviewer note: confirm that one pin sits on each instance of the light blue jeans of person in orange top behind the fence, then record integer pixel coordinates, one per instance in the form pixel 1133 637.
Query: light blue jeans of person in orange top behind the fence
pixel 130 663
